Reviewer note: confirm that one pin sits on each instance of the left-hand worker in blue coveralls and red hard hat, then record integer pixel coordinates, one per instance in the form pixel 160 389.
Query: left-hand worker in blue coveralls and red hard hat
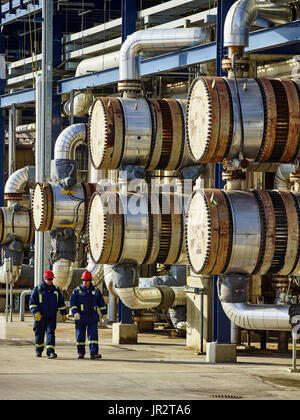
pixel 45 301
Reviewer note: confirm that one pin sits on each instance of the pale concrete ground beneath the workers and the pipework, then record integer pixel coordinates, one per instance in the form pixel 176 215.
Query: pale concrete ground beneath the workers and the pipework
pixel 159 367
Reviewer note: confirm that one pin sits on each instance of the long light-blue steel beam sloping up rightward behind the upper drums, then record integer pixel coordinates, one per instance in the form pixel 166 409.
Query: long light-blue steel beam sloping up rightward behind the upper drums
pixel 270 40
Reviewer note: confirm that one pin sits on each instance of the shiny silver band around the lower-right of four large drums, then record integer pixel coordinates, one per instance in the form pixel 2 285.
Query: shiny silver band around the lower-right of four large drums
pixel 246 232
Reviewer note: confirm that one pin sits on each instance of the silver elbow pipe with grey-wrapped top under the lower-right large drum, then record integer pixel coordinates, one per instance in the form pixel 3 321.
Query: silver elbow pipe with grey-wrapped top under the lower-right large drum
pixel 232 292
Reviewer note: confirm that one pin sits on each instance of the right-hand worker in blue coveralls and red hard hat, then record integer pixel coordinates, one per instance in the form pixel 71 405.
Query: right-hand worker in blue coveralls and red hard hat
pixel 84 302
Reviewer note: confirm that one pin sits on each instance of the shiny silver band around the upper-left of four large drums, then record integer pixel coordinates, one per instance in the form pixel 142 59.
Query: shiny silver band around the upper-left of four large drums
pixel 138 131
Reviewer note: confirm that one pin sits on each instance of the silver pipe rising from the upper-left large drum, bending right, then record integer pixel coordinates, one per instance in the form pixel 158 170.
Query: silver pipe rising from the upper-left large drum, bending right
pixel 154 39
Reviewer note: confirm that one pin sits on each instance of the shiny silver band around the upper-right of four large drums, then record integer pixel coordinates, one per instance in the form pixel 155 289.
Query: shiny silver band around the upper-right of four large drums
pixel 252 114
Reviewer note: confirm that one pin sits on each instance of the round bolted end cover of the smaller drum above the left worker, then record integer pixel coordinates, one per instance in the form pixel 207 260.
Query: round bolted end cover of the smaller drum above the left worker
pixel 42 206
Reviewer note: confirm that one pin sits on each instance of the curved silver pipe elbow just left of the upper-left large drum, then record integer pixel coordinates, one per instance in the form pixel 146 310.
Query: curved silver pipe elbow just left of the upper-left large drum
pixel 68 140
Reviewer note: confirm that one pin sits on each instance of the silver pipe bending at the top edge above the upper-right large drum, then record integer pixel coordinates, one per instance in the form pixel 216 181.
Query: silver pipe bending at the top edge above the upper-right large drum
pixel 244 13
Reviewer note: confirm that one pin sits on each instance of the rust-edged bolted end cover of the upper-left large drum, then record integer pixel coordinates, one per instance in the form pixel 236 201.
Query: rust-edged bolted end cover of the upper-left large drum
pixel 105 133
